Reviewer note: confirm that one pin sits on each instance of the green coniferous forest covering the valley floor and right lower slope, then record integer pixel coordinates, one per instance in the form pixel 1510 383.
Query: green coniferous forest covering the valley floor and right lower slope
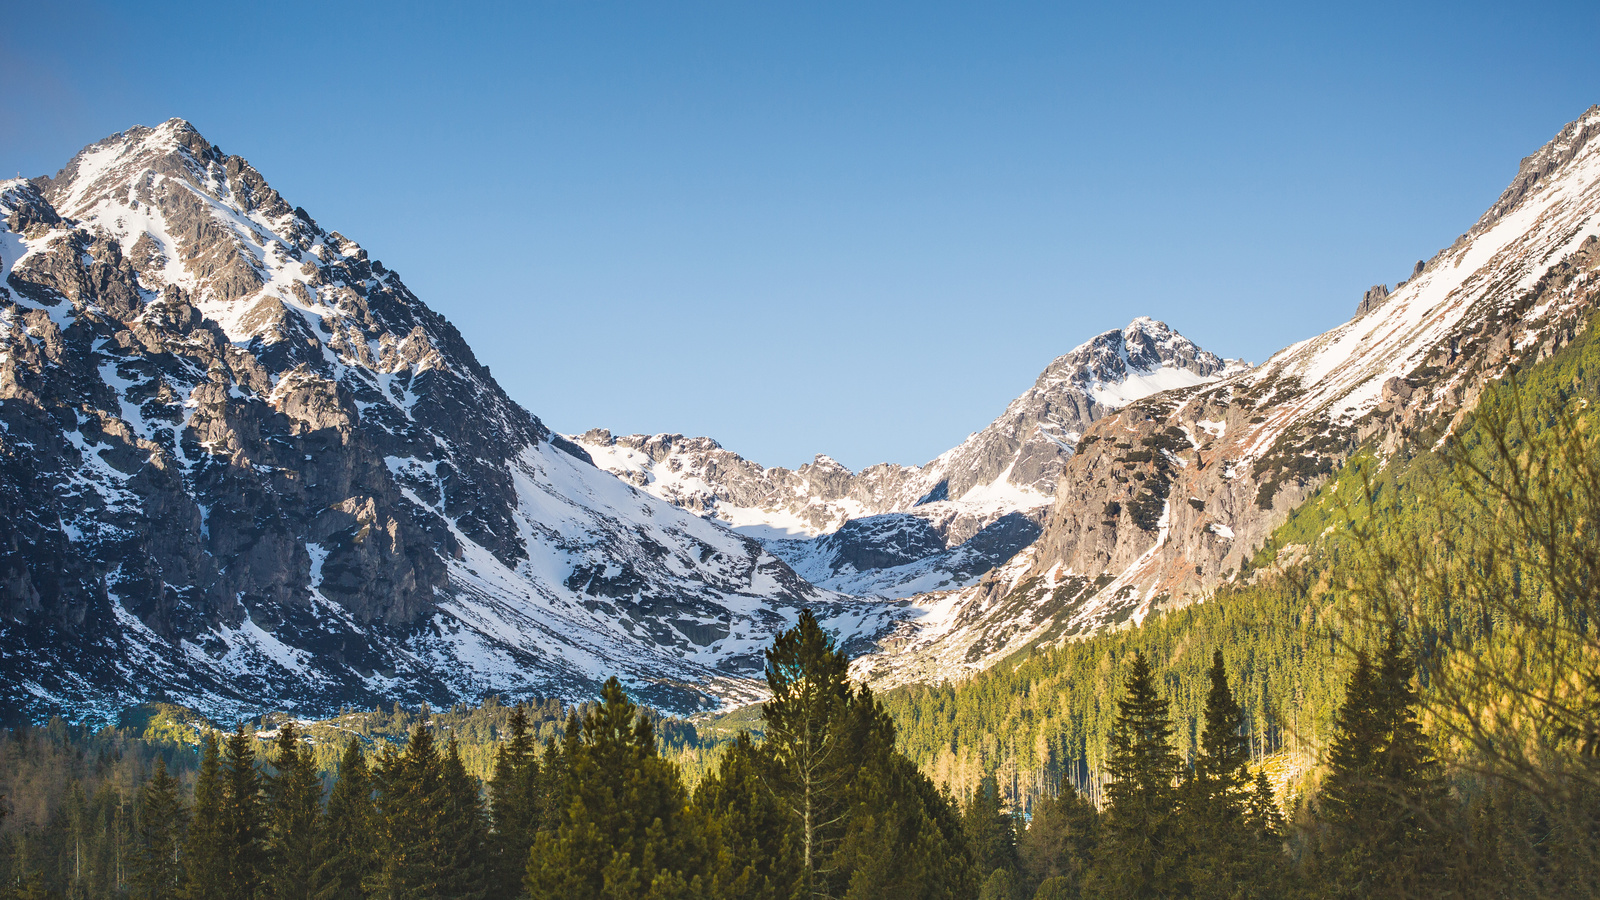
pixel 1402 701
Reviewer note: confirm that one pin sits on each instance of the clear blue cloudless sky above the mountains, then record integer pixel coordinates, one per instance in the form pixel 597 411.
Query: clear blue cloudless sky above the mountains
pixel 834 228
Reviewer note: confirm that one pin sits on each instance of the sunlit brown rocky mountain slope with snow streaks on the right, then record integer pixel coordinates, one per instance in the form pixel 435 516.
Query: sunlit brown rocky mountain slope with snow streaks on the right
pixel 1175 494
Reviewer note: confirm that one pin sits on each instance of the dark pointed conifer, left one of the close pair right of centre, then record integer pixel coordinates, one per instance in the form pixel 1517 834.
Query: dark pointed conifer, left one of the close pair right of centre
pixel 1140 853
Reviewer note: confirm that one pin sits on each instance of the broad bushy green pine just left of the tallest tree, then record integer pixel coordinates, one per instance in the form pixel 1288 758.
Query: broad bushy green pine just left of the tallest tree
pixel 628 830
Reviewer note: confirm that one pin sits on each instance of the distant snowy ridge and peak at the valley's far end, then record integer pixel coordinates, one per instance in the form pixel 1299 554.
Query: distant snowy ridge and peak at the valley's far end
pixel 897 531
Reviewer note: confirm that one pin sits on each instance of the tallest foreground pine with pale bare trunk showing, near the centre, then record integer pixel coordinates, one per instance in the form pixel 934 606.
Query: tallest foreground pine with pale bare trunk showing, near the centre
pixel 812 749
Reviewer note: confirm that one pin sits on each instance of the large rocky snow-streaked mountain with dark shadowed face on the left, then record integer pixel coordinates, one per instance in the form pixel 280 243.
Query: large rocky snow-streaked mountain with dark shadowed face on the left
pixel 244 467
